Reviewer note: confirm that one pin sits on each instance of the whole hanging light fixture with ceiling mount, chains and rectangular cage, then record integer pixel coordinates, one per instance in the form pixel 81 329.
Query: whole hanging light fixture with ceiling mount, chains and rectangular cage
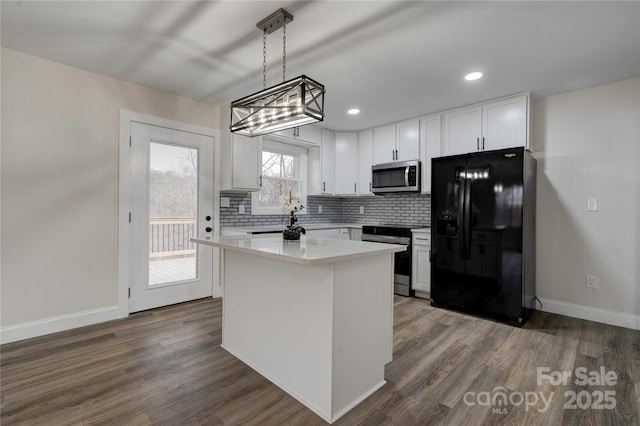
pixel 292 103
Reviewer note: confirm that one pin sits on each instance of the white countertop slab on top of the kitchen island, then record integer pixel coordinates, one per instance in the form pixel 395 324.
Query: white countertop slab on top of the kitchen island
pixel 306 251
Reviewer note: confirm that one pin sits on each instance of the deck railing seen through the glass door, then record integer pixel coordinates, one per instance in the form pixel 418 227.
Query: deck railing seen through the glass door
pixel 169 236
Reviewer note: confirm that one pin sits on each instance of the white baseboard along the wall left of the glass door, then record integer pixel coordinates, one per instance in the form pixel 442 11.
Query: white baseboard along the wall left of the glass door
pixel 31 329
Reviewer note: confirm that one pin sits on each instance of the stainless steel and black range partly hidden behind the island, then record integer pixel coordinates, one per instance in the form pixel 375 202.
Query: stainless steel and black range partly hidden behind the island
pixel 395 234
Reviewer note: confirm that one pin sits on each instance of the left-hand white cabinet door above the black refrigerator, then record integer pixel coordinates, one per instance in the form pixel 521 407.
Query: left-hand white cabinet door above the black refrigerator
pixel 462 130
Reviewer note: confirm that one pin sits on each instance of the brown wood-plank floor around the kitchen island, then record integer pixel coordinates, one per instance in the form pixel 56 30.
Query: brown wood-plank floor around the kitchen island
pixel 166 367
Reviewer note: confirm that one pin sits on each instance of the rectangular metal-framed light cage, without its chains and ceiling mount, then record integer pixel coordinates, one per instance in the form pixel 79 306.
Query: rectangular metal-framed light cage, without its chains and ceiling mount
pixel 290 104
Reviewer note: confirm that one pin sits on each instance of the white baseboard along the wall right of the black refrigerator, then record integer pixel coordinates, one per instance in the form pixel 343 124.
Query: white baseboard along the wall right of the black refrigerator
pixel 592 314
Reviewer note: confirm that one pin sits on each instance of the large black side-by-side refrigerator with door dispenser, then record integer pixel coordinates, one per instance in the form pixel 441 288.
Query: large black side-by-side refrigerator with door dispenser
pixel 483 209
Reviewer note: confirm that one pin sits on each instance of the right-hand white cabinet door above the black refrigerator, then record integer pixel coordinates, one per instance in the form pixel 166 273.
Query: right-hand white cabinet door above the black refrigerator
pixel 504 123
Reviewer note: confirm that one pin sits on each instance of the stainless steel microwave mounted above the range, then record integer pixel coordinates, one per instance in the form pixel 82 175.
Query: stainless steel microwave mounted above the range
pixel 399 176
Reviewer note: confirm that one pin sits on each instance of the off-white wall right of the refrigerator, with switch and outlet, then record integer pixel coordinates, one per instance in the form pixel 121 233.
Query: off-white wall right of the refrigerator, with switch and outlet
pixel 587 145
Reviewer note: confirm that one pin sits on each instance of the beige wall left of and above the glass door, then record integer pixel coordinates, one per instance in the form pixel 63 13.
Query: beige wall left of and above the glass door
pixel 60 183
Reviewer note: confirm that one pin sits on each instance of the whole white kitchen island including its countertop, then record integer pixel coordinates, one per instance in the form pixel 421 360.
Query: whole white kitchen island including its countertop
pixel 315 317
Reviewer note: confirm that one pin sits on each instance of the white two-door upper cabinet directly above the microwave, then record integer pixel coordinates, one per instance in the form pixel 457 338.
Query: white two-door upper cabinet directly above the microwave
pixel 396 142
